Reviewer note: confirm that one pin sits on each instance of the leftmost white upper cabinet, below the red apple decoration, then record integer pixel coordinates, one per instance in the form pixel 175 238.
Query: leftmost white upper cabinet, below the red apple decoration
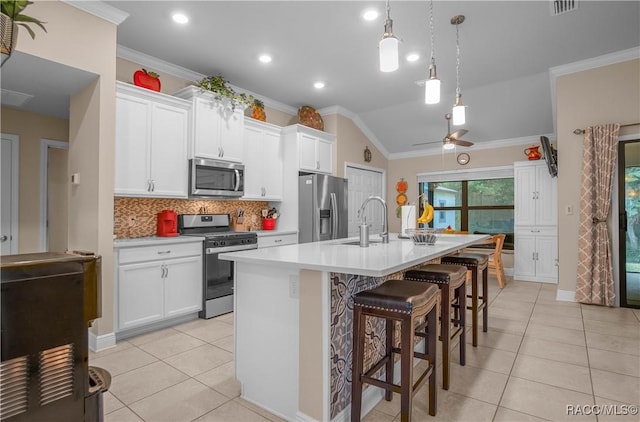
pixel 151 143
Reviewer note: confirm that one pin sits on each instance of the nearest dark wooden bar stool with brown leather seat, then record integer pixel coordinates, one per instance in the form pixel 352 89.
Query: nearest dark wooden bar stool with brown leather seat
pixel 407 302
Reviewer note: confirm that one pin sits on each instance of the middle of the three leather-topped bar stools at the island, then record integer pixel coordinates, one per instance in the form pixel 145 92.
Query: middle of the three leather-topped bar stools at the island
pixel 451 281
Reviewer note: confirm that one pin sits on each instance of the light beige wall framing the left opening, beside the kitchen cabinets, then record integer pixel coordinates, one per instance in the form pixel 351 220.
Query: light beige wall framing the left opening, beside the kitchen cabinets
pixel 86 42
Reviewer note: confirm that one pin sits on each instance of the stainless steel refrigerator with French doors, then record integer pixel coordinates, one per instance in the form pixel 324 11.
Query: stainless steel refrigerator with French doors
pixel 322 212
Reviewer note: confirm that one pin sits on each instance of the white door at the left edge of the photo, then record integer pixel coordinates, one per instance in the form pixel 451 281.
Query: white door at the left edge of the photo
pixel 9 196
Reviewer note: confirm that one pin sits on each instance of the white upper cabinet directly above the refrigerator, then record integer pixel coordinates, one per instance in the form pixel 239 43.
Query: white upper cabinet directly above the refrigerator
pixel 315 148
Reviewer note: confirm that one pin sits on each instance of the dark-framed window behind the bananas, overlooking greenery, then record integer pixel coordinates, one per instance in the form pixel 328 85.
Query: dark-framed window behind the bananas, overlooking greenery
pixel 483 206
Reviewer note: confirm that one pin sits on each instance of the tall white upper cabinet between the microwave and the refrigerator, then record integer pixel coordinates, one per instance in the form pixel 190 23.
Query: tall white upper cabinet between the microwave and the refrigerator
pixel 263 161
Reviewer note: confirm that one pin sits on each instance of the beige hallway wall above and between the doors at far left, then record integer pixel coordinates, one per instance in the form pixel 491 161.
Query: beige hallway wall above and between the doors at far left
pixel 31 128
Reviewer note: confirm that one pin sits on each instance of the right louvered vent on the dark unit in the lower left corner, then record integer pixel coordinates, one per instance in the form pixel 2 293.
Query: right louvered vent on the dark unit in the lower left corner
pixel 56 373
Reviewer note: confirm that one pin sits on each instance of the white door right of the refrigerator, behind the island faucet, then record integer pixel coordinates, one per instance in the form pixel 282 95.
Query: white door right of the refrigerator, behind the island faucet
pixel 362 184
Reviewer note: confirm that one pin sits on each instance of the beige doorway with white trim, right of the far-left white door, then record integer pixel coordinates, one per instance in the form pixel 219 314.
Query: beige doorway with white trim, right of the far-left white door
pixel 57 200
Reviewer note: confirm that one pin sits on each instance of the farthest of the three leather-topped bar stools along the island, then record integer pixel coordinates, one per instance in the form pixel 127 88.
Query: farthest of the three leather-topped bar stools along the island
pixel 474 263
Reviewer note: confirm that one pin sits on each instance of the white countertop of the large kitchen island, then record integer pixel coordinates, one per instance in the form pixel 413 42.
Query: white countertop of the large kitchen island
pixel 334 255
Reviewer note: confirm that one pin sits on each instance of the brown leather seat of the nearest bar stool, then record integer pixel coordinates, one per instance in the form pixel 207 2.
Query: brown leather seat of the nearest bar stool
pixel 396 295
